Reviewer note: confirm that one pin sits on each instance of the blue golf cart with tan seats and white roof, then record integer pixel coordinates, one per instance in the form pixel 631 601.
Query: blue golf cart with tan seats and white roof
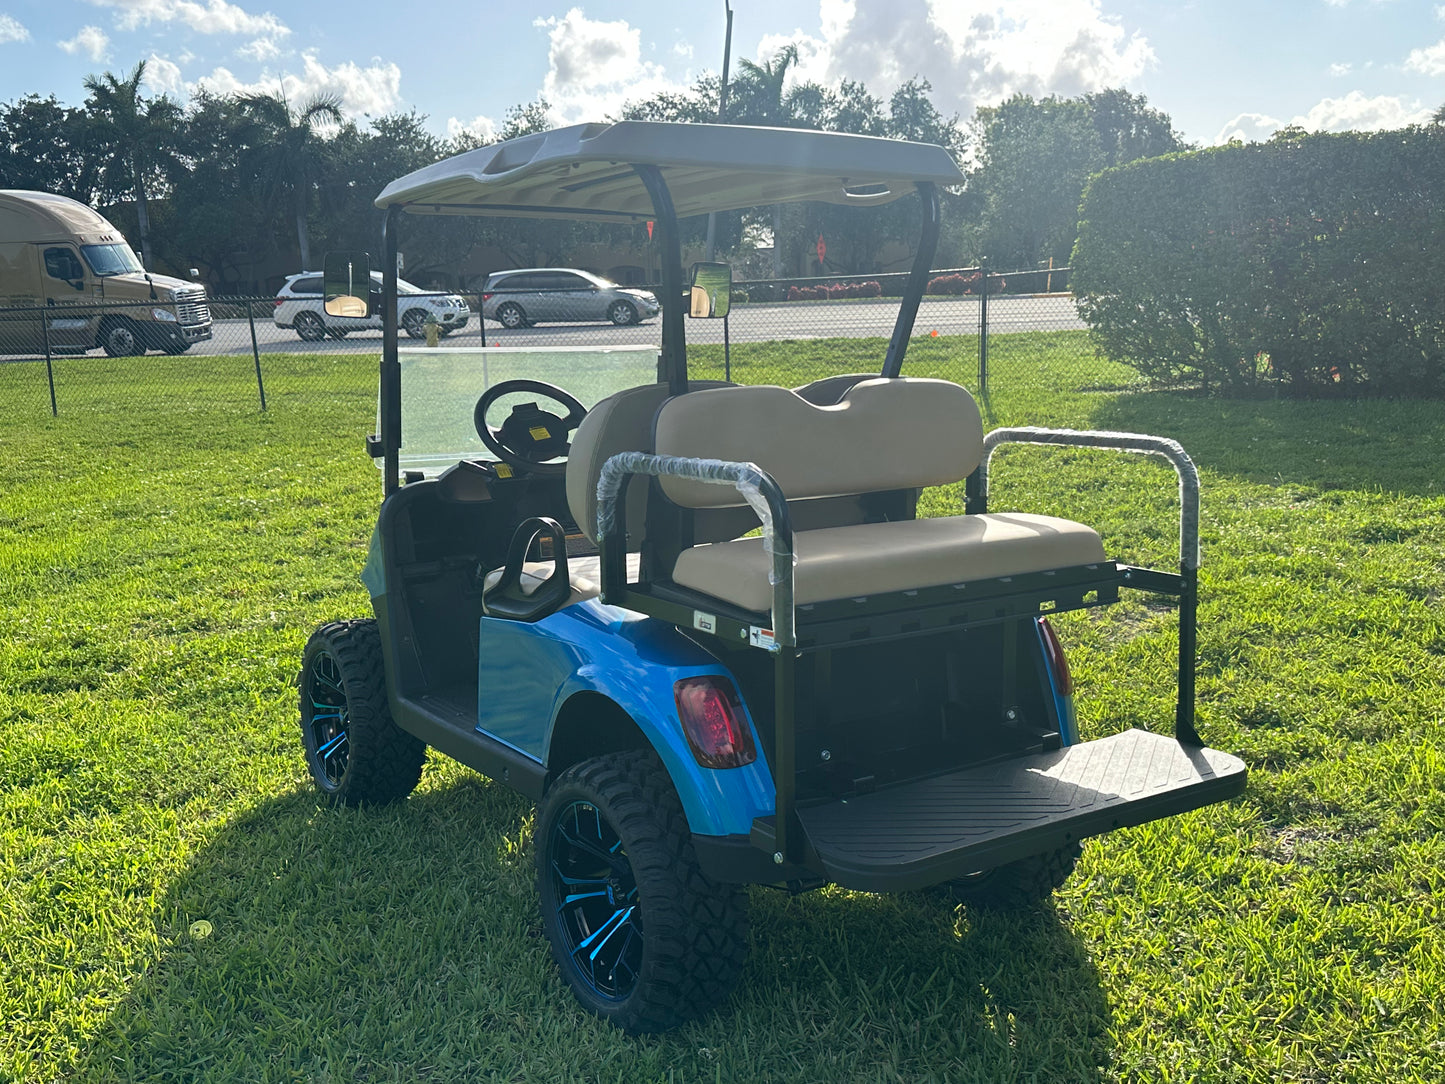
pixel 573 596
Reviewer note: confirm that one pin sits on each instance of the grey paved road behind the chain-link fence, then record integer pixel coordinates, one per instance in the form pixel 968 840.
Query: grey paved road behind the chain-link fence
pixel 748 324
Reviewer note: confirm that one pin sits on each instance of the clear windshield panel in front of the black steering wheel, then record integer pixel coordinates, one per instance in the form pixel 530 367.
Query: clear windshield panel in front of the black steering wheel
pixel 441 388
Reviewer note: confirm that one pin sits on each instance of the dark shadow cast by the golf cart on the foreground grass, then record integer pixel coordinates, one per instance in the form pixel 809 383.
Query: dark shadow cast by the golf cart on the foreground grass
pixel 405 945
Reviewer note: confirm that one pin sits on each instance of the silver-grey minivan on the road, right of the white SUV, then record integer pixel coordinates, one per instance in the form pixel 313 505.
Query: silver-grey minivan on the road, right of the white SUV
pixel 531 296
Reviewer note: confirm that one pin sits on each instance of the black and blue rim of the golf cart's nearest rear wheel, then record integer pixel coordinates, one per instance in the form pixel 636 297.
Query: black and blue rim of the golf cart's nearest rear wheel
pixel 598 911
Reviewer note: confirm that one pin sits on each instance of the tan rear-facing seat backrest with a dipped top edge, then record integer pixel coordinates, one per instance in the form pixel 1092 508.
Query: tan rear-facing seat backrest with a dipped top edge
pixel 882 434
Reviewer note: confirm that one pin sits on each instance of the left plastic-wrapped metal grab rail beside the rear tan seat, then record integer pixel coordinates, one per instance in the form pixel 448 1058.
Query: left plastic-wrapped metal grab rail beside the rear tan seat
pixel 759 491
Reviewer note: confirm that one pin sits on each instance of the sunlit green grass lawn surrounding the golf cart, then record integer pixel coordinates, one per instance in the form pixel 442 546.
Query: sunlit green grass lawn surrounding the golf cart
pixel 176 906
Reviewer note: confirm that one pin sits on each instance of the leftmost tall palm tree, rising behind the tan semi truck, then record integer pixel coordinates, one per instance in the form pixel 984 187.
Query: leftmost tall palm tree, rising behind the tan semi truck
pixel 141 138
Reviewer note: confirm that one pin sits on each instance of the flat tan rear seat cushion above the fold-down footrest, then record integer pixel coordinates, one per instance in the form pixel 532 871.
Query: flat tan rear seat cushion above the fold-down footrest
pixel 875 559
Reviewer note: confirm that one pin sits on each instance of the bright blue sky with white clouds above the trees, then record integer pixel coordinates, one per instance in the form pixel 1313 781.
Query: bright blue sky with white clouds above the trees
pixel 1220 69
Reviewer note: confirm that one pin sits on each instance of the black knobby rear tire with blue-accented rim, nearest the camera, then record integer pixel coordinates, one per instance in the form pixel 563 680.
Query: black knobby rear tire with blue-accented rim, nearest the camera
pixel 644 939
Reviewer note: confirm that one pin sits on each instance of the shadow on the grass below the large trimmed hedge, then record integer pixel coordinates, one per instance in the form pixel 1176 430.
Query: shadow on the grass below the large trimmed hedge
pixel 1372 444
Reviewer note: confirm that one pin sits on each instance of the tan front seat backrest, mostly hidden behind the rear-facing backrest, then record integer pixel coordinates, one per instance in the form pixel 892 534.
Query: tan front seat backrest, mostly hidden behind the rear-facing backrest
pixel 621 423
